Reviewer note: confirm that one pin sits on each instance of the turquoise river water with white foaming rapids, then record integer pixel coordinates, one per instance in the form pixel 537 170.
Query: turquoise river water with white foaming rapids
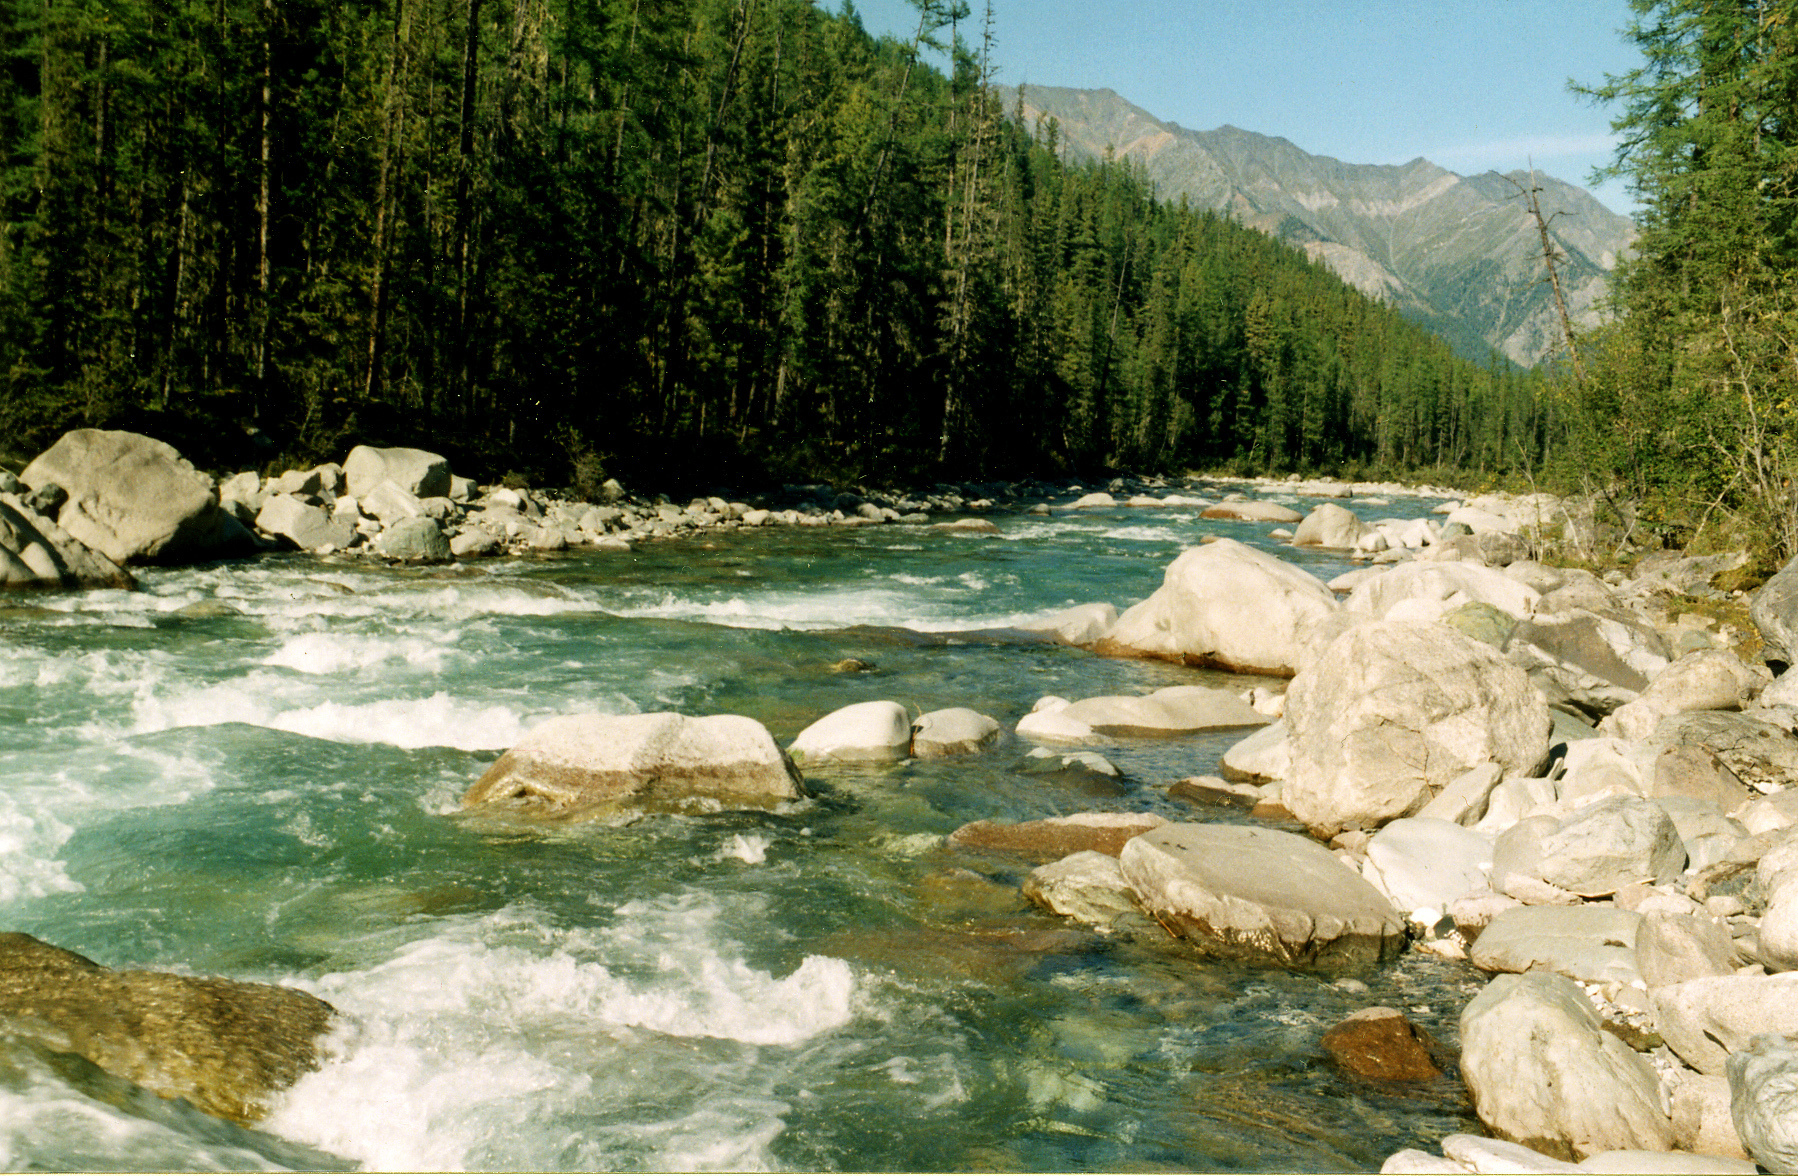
pixel 254 771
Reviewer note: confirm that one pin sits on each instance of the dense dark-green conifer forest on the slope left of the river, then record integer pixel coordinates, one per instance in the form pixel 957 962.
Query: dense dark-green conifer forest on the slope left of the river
pixel 725 238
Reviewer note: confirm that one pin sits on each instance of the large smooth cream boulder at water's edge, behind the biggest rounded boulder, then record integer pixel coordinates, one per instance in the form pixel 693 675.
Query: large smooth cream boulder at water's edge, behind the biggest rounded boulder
pixel 1227 607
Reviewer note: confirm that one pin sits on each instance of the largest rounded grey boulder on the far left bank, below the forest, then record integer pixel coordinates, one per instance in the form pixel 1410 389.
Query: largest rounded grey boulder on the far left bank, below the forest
pixel 134 499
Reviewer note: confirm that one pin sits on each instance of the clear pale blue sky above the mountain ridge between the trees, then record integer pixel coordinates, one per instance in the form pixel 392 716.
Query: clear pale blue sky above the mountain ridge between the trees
pixel 1468 85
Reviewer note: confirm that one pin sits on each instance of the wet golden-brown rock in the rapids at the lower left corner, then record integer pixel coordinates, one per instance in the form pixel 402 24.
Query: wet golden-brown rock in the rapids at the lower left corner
pixel 224 1046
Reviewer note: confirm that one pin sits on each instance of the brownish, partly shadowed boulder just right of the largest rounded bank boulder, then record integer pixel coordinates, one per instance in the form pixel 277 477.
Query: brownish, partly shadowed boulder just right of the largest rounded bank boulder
pixel 1589 661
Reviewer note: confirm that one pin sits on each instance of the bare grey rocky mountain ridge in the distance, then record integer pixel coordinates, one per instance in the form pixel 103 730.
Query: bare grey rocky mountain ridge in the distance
pixel 1459 254
